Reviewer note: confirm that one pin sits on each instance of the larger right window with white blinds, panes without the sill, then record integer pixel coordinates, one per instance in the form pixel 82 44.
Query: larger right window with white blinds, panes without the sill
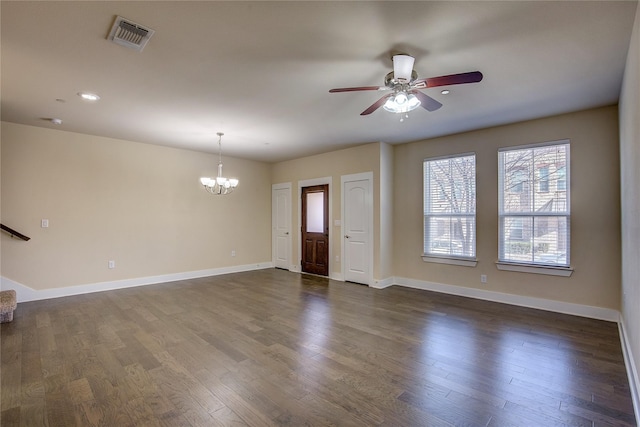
pixel 534 225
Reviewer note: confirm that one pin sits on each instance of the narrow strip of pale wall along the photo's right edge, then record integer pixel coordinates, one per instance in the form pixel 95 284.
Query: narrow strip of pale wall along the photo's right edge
pixel 630 191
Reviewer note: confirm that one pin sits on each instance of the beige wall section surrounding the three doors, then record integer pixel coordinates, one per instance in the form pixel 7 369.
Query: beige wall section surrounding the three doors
pixel 363 158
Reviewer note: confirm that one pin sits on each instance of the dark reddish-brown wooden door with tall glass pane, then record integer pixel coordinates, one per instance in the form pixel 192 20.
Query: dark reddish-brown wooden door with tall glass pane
pixel 315 229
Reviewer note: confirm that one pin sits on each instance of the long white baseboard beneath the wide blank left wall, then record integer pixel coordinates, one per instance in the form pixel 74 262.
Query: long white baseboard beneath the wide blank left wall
pixel 25 293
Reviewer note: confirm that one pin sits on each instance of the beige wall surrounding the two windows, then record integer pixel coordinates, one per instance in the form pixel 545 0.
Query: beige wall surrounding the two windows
pixel 595 201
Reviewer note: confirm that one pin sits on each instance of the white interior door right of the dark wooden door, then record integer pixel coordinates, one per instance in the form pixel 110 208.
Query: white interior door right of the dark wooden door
pixel 357 225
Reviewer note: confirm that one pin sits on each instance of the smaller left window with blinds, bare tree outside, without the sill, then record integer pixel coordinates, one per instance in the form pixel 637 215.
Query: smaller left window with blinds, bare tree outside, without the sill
pixel 450 207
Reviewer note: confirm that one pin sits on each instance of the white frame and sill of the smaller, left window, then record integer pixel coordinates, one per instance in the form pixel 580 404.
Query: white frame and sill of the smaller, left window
pixel 427 256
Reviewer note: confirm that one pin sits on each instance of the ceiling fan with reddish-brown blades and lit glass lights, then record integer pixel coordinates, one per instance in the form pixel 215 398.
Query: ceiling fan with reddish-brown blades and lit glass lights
pixel 404 85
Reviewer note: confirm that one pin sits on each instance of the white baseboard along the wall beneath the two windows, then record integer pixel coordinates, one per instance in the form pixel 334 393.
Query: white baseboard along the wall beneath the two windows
pixel 592 312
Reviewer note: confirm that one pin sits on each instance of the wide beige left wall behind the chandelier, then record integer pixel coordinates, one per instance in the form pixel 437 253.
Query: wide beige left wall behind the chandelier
pixel 137 204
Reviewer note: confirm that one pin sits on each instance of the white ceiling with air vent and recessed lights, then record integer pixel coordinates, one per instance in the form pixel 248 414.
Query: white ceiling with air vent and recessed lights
pixel 260 71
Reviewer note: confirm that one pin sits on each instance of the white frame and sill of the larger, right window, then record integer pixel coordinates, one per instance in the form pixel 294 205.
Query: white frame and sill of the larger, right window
pixel 526 266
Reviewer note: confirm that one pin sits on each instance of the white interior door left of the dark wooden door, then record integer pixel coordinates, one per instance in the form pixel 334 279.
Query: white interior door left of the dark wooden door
pixel 281 225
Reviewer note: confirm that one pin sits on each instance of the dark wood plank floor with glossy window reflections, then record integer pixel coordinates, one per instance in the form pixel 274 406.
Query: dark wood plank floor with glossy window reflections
pixel 276 348
